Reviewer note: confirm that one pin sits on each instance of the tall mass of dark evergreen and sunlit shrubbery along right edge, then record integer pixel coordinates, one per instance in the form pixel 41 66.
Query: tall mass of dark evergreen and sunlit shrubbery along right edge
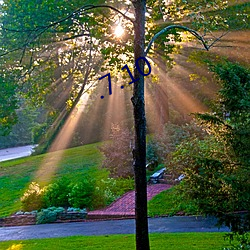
pixel 216 168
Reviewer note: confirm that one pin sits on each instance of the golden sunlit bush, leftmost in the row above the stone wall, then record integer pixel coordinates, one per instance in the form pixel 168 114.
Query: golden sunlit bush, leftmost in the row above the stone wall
pixel 33 198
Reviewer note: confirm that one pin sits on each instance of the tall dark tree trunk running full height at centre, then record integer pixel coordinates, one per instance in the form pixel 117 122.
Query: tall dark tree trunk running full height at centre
pixel 139 151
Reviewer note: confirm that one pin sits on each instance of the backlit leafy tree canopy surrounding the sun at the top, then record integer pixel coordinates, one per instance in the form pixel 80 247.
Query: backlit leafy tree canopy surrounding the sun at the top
pixel 47 43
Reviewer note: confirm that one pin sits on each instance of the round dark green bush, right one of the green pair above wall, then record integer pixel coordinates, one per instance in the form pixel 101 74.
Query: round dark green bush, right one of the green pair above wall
pixel 81 194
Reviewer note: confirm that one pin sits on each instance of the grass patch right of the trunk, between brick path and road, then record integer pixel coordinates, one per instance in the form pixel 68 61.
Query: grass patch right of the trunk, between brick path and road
pixel 169 203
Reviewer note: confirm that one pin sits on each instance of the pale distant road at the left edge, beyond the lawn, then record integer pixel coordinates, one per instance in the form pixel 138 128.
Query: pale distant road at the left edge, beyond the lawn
pixel 14 153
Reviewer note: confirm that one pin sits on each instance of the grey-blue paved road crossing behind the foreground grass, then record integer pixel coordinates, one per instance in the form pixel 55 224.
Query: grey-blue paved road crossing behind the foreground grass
pixel 156 225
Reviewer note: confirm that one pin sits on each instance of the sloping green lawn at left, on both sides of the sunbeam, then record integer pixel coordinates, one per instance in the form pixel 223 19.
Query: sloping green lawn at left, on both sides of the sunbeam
pixel 16 175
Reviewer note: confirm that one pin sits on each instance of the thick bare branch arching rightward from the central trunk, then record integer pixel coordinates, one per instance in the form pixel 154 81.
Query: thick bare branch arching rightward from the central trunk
pixel 193 32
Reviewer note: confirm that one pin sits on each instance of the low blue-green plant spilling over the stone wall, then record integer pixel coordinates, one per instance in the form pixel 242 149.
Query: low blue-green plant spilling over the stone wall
pixel 48 215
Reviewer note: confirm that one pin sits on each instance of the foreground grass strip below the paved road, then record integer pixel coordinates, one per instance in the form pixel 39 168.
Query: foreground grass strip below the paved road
pixel 170 241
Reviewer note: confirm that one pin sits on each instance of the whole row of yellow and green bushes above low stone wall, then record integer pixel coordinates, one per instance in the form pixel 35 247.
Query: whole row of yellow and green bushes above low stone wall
pixel 91 193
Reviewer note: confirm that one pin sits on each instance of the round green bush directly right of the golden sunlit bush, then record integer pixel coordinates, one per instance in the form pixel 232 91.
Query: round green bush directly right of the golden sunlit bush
pixel 57 193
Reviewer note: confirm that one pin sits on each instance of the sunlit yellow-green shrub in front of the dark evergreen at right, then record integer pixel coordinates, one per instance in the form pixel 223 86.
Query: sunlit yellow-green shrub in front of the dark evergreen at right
pixel 205 175
